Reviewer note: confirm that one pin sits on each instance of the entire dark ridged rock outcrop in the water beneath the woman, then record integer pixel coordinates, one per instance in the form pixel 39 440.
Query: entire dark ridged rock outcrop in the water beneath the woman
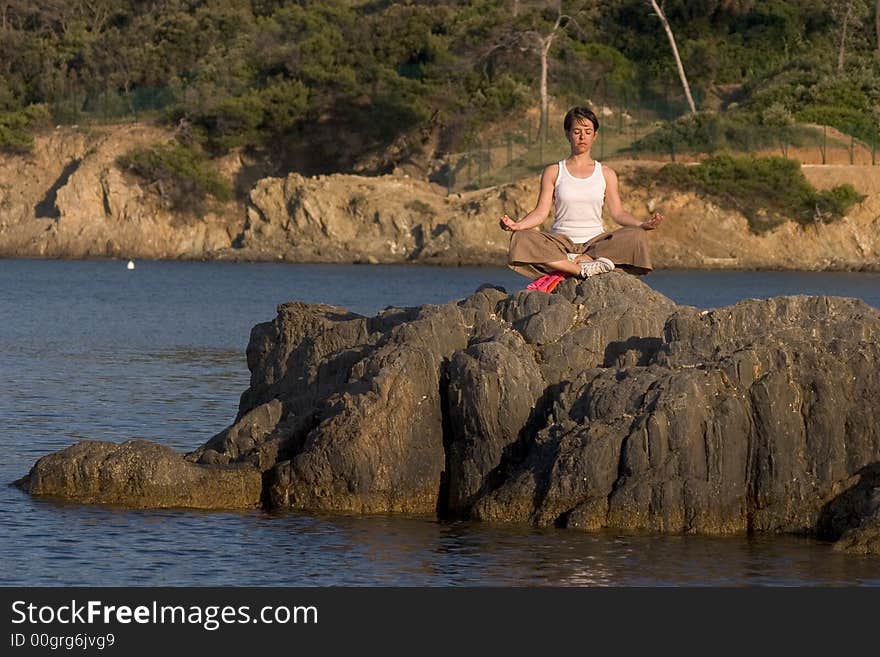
pixel 601 405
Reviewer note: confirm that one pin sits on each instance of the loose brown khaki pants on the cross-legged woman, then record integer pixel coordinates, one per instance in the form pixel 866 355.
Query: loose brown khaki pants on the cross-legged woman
pixel 531 250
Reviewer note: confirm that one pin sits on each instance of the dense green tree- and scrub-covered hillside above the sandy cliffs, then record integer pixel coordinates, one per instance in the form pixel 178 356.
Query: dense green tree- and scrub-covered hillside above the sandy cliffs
pixel 333 85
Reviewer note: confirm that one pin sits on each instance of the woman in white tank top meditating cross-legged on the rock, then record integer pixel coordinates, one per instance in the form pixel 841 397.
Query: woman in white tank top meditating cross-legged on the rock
pixel 578 187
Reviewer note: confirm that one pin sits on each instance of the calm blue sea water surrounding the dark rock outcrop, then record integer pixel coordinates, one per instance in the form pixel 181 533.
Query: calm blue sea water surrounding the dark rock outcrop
pixel 91 350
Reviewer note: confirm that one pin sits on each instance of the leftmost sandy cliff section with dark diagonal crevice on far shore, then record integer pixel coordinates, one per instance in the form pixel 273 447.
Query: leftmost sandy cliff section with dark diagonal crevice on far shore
pixel 69 199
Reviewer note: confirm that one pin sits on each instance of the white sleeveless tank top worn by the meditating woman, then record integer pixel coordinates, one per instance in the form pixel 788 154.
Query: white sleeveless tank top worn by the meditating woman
pixel 579 204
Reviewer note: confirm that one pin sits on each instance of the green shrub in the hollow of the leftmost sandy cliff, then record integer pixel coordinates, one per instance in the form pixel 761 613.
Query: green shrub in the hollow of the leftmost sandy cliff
pixel 182 175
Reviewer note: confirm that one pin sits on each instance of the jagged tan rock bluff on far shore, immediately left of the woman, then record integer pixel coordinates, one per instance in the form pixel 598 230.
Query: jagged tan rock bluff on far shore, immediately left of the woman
pixel 385 219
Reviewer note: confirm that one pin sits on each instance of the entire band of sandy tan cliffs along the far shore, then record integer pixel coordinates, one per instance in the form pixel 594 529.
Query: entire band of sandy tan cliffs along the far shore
pixel 69 199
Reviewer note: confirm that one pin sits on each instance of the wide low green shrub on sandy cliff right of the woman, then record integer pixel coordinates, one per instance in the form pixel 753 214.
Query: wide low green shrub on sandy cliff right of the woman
pixel 767 190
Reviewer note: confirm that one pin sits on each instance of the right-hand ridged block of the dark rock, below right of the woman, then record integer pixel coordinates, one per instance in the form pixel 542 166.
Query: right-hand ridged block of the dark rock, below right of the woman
pixel 746 418
